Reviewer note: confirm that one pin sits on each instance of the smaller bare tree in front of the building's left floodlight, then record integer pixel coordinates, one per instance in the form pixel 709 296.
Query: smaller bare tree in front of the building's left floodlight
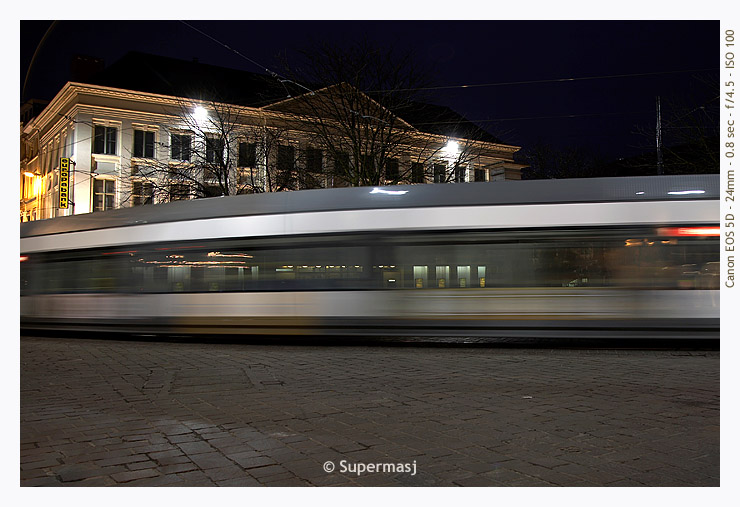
pixel 208 150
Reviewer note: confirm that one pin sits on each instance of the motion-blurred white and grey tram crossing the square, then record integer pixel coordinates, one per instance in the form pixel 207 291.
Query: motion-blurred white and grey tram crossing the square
pixel 603 257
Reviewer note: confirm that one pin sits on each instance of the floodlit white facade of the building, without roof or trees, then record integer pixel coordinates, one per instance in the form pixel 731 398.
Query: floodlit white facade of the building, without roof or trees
pixel 109 134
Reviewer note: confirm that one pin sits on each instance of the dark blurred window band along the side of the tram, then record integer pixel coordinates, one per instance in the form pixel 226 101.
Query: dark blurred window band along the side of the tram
pixel 464 260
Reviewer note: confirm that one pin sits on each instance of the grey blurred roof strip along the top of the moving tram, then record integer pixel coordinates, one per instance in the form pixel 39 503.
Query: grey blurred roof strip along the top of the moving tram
pixel 642 188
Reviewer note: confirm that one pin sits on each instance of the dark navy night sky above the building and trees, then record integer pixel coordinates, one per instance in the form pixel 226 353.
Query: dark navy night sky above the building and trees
pixel 600 114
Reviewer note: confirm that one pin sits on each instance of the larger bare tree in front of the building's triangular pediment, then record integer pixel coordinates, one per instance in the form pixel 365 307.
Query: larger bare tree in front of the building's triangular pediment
pixel 357 119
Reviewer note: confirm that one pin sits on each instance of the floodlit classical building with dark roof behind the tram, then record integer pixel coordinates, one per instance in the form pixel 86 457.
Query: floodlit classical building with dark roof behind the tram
pixel 151 129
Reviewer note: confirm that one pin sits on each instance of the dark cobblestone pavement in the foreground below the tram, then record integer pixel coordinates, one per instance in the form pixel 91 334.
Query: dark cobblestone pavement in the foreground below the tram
pixel 133 413
